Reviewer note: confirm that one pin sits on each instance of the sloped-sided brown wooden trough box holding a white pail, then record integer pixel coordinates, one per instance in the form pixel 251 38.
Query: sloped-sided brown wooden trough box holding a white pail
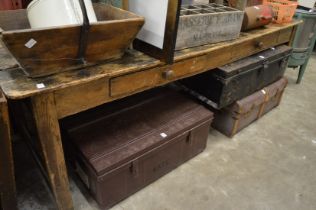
pixel 47 51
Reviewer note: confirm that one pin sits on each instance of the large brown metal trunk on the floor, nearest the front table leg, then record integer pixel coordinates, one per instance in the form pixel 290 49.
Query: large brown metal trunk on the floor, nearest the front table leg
pixel 131 143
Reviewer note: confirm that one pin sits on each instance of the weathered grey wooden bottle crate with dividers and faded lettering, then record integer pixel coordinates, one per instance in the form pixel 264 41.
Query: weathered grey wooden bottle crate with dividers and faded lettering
pixel 206 24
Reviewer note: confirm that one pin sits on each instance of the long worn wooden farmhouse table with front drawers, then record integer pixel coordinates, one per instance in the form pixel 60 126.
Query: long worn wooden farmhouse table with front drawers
pixel 55 97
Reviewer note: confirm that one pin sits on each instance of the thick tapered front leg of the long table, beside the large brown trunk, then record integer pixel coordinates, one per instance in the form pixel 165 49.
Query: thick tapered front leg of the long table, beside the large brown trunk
pixel 45 115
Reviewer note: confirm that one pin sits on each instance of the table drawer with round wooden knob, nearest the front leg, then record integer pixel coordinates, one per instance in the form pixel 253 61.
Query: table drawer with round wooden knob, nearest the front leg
pixel 130 83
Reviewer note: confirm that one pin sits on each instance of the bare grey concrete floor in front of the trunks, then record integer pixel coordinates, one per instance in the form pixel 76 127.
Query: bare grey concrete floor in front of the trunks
pixel 269 165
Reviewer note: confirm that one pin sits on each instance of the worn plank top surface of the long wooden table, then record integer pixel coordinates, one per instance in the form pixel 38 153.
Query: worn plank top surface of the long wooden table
pixel 16 85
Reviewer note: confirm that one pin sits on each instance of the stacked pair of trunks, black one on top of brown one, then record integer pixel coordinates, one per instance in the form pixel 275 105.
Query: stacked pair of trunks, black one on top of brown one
pixel 241 92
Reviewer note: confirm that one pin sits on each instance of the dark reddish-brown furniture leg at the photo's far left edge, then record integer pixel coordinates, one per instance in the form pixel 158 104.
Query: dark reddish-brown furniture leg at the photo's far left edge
pixel 7 179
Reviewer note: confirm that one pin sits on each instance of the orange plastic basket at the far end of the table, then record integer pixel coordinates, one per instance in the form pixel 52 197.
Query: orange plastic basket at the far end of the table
pixel 284 10
